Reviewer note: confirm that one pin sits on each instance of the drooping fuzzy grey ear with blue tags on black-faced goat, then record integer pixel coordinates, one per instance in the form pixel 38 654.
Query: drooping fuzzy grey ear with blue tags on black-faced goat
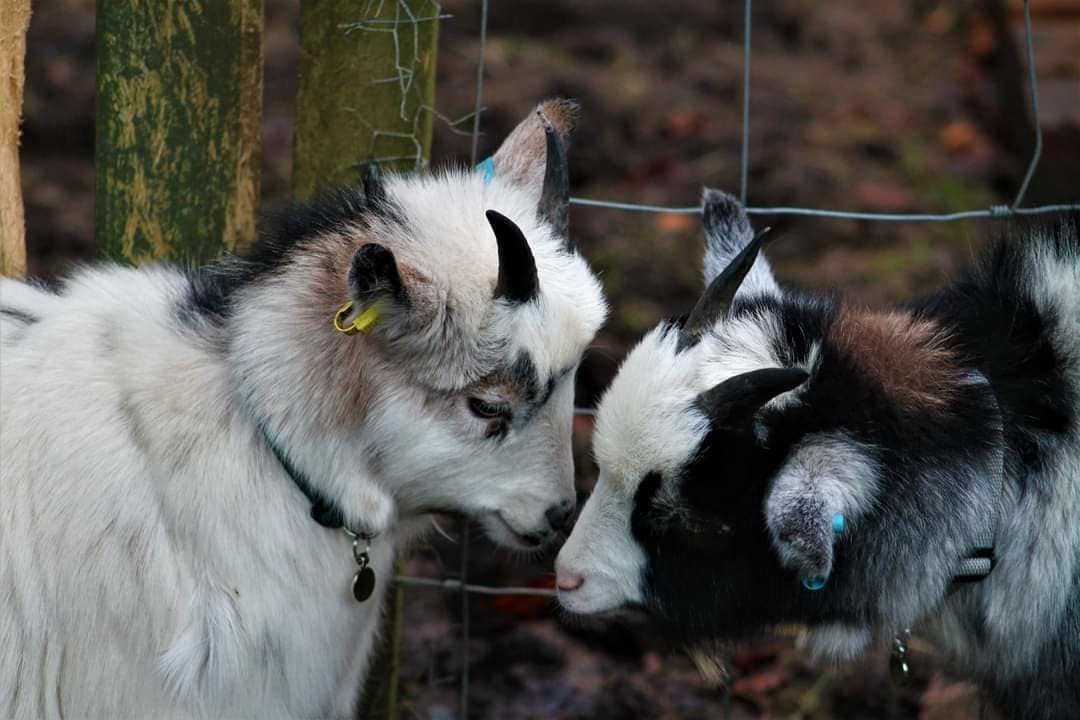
pixel 827 483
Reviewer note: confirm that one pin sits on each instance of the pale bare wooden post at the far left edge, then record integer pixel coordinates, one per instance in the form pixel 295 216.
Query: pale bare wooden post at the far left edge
pixel 15 20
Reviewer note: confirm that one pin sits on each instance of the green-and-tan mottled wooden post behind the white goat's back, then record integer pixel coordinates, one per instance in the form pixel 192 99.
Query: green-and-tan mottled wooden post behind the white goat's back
pixel 180 102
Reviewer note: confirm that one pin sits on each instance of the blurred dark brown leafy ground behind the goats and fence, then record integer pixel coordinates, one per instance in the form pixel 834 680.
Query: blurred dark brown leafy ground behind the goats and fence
pixel 885 106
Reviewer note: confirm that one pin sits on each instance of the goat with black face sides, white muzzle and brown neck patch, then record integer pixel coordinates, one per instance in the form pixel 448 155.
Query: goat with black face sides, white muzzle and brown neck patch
pixel 787 458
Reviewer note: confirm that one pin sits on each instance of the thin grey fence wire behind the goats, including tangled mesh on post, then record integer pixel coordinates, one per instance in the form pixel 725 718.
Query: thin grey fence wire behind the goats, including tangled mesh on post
pixel 408 22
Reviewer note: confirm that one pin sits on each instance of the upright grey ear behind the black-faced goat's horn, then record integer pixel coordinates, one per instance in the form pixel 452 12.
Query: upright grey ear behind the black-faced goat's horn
pixel 727 234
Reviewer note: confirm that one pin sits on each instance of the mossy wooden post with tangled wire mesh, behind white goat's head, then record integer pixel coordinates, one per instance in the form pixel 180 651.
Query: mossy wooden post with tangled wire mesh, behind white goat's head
pixel 368 86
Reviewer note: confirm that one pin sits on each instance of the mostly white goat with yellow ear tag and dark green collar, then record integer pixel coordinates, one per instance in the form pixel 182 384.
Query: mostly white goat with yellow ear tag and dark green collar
pixel 169 439
